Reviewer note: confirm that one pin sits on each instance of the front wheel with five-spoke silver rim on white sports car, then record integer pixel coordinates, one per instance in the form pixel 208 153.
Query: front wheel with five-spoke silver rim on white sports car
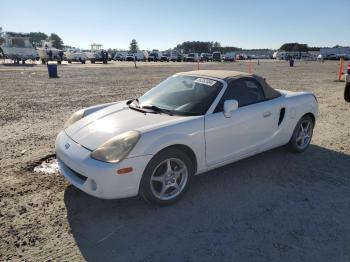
pixel 160 184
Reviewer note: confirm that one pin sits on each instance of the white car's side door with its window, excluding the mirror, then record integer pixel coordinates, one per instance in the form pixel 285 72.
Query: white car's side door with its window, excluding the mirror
pixel 246 131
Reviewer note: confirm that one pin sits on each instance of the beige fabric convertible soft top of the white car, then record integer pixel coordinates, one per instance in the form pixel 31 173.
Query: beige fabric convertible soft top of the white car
pixel 229 76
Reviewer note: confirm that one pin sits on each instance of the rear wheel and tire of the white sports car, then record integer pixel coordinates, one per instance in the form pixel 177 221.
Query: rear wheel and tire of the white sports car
pixel 302 135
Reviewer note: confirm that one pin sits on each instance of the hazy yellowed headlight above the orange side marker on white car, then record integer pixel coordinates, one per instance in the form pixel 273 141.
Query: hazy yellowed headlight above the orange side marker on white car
pixel 117 148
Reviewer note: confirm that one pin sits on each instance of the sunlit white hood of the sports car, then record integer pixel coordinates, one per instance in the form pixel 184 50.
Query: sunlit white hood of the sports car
pixel 97 128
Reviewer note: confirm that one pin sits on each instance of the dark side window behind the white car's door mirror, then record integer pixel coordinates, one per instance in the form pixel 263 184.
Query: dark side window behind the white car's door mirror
pixel 246 91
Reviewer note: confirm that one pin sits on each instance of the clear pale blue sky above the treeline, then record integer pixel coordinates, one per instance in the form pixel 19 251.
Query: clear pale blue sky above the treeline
pixel 162 24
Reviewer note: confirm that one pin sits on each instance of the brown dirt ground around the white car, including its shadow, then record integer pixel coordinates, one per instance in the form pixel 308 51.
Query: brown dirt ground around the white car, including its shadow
pixel 276 206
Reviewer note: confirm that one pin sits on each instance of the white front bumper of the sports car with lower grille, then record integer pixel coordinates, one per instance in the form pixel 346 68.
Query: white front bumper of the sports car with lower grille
pixel 94 177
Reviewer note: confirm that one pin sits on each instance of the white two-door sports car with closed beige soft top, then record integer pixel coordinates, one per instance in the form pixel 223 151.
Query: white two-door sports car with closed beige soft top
pixel 188 124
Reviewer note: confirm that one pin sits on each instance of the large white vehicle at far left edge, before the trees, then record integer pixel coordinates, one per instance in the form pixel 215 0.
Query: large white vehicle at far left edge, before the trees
pixel 16 46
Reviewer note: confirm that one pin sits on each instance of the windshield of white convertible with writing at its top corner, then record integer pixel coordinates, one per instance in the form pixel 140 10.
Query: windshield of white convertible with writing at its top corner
pixel 183 95
